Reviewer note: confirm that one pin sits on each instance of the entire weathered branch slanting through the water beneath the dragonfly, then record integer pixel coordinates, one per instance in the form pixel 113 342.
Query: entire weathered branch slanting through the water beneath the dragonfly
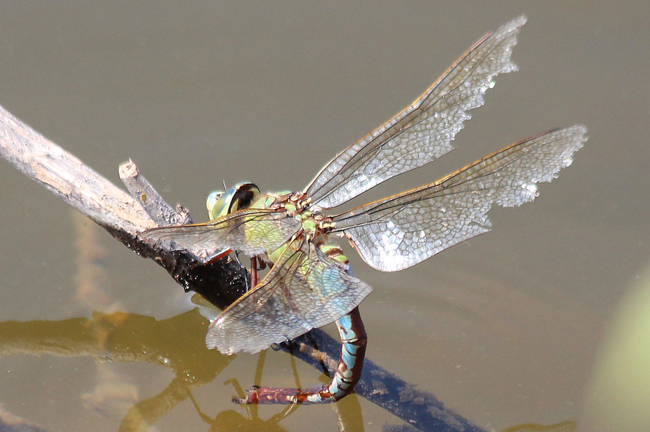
pixel 124 216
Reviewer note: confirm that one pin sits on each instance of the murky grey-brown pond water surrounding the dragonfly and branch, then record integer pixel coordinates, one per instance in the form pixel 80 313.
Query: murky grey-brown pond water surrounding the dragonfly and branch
pixel 536 322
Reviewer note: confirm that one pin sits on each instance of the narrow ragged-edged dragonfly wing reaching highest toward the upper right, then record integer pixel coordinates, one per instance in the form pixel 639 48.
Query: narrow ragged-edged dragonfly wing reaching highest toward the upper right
pixel 424 130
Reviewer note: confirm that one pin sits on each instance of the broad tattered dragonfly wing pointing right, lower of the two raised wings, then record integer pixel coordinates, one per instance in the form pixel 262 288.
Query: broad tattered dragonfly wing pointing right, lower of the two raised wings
pixel 402 230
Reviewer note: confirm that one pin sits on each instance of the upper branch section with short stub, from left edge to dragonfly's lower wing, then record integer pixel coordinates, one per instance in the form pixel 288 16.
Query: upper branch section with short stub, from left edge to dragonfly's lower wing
pixel 122 215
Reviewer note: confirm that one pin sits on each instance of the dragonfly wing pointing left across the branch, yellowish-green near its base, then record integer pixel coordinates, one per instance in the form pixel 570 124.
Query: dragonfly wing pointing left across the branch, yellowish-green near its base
pixel 250 231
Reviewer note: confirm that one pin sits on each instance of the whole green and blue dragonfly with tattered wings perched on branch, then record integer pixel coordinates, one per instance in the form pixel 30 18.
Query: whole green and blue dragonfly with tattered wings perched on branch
pixel 309 284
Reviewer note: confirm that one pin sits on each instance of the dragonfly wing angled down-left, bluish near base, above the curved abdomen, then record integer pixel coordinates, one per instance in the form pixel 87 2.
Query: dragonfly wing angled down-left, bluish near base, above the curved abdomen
pixel 305 289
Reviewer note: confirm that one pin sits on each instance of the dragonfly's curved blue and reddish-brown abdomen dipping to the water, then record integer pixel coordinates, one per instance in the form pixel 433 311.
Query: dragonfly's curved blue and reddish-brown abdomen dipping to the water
pixel 348 371
